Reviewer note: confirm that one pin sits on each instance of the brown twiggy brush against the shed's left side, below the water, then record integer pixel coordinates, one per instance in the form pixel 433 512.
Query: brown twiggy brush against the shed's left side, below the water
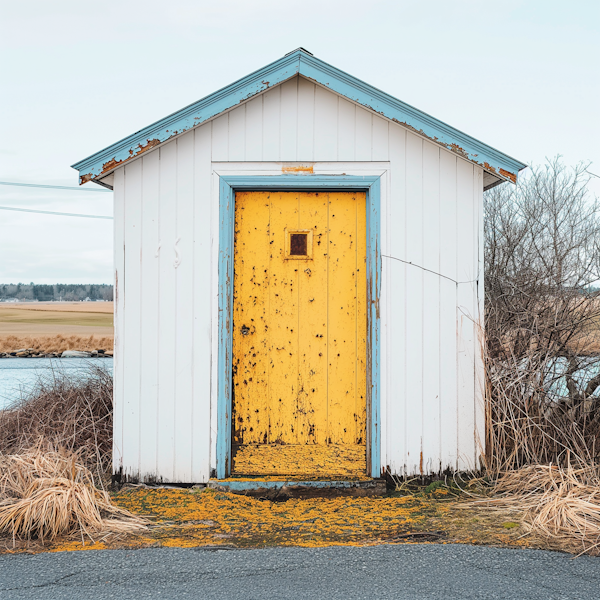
pixel 74 413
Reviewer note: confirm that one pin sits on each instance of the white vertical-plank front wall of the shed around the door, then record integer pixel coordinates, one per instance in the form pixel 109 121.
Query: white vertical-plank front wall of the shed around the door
pixel 166 243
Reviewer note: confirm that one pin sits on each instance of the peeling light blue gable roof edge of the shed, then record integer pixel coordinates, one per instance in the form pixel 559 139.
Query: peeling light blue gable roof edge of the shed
pixel 299 62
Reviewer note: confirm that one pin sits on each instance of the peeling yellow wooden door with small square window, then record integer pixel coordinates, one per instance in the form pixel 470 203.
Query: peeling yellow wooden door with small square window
pixel 299 334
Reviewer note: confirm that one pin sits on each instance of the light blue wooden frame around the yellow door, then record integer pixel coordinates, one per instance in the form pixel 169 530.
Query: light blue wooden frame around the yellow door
pixel 228 185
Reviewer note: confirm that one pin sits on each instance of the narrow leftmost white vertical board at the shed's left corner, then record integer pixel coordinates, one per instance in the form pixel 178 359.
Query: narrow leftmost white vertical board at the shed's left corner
pixel 119 283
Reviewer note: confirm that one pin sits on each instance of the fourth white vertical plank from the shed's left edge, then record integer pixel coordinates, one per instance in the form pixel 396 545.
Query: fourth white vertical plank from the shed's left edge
pixel 167 309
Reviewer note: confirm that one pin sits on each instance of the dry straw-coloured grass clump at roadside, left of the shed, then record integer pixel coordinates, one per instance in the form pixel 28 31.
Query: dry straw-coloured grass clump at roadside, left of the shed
pixel 44 495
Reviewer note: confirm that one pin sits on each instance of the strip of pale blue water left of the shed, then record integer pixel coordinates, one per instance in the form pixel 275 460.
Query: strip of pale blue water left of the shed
pixel 18 376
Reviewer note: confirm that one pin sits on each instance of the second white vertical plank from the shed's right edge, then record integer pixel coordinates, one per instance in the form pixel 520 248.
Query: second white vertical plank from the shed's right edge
pixel 466 330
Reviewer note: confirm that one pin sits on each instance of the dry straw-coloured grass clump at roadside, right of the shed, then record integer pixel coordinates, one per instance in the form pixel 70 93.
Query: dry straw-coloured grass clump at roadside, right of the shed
pixel 558 504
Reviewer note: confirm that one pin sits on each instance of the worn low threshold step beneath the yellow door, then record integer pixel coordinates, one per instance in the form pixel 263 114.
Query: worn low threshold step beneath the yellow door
pixel 282 489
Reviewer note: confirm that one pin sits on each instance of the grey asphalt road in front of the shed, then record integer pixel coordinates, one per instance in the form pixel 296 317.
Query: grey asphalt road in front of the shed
pixel 423 572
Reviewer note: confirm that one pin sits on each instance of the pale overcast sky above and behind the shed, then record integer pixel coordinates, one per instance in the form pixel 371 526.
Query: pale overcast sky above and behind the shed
pixel 521 76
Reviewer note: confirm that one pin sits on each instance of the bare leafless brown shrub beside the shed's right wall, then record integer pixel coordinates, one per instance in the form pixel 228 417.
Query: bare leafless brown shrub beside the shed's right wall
pixel 542 318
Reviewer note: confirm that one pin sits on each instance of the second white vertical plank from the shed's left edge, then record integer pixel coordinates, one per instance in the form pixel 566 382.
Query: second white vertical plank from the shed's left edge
pixel 131 324
